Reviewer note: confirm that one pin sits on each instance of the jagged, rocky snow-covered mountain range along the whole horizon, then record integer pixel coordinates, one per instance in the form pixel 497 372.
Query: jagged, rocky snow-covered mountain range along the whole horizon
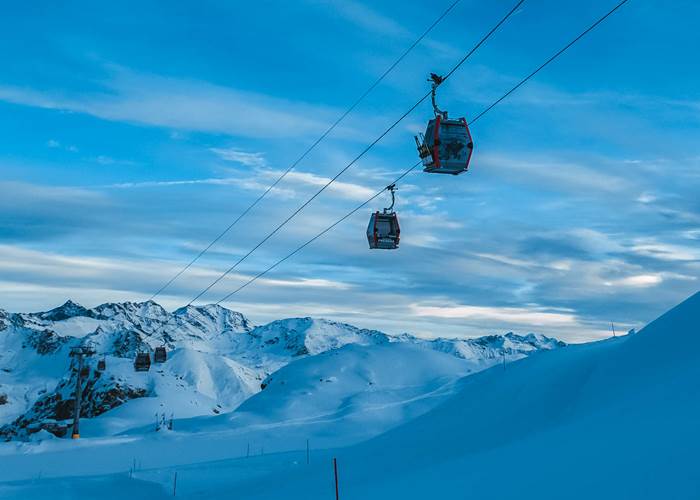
pixel 216 360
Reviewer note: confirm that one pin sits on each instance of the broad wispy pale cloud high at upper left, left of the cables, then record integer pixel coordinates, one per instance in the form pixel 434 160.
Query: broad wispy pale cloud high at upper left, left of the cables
pixel 182 104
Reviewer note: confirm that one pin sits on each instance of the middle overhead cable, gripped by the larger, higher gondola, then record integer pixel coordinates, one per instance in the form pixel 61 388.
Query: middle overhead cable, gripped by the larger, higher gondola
pixel 360 155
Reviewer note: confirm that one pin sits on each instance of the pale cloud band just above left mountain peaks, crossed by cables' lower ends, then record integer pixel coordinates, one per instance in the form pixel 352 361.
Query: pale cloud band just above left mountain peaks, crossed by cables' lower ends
pixel 36 279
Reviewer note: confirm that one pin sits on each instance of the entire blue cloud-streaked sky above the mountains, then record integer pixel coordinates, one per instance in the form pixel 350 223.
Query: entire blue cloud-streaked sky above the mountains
pixel 134 132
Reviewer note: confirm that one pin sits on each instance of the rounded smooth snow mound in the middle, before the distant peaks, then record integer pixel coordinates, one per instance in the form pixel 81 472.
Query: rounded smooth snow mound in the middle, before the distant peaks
pixel 351 393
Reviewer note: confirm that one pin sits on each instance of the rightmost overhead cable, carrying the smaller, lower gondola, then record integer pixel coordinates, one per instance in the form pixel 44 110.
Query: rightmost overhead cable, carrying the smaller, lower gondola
pixel 404 174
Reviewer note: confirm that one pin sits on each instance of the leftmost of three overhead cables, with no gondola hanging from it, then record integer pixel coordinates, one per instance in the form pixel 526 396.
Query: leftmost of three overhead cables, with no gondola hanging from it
pixel 310 148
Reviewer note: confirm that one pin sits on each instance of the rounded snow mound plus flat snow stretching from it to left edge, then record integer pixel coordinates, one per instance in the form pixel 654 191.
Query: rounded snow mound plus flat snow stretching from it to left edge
pixel 336 398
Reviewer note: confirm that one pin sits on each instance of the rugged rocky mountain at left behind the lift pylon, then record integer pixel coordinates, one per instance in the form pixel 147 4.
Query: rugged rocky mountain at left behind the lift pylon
pixel 37 377
